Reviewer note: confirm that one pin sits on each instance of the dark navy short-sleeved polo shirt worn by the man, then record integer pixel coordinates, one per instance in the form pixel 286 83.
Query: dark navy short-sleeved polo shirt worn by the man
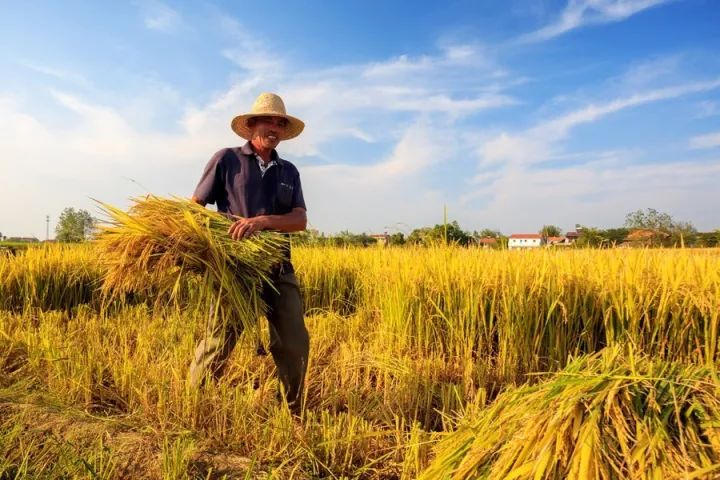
pixel 233 181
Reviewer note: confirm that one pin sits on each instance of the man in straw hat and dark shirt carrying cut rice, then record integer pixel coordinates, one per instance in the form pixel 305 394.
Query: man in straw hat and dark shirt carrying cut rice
pixel 263 192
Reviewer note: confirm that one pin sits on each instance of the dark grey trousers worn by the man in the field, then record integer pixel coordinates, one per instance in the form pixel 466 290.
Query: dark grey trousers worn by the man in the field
pixel 289 341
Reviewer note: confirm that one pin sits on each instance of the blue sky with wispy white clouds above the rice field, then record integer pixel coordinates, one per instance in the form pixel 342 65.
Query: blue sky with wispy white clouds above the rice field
pixel 510 114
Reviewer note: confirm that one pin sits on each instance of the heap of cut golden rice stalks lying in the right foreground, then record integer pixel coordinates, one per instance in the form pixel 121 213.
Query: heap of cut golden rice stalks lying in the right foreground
pixel 610 415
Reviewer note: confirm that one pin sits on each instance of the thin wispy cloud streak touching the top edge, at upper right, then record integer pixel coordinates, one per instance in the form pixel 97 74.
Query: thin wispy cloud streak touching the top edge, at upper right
pixel 579 13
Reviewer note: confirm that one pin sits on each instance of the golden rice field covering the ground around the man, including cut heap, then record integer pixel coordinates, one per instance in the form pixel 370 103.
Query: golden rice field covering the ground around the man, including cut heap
pixel 425 363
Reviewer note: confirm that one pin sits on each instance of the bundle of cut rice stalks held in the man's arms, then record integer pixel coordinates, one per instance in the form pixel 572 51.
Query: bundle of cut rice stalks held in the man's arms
pixel 159 241
